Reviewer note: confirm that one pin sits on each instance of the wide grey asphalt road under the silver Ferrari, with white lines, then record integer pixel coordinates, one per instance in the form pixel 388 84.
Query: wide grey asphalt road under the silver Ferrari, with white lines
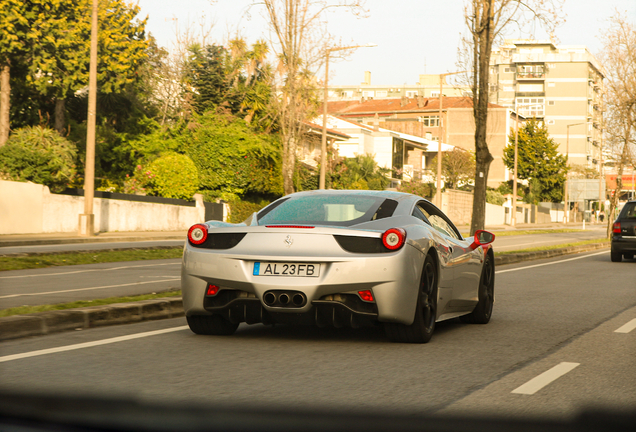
pixel 575 313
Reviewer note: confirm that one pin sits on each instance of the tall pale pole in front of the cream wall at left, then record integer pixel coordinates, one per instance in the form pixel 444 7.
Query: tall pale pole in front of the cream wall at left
pixel 87 219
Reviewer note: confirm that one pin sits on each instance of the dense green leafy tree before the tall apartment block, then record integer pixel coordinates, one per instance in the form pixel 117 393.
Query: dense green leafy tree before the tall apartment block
pixel 538 161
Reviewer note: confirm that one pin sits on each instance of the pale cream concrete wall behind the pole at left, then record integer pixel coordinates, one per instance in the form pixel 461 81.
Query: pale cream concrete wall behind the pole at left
pixel 27 208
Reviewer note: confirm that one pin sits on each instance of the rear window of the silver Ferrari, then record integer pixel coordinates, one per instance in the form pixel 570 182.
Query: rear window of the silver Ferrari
pixel 338 210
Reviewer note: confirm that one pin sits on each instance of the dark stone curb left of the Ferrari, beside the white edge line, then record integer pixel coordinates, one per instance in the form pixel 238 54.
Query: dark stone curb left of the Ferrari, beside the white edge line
pixel 43 323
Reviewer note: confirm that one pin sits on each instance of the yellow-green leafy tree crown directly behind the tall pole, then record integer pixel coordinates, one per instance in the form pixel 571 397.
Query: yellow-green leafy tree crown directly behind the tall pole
pixel 60 48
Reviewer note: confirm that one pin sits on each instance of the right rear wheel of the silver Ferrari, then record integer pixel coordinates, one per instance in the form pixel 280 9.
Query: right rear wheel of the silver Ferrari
pixel 425 312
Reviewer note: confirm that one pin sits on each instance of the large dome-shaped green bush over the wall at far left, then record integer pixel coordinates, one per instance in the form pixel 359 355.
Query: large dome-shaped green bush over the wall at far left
pixel 39 155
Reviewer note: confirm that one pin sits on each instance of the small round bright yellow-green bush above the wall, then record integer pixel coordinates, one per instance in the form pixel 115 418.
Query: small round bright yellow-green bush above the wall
pixel 173 176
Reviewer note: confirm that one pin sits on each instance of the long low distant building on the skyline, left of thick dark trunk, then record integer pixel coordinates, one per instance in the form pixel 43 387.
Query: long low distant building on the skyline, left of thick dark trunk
pixel 427 86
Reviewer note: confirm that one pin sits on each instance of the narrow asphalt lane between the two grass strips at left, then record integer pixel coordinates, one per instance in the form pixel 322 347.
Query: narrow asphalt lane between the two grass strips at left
pixel 87 282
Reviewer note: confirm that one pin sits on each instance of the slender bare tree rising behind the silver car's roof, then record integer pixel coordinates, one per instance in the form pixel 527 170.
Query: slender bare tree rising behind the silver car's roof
pixel 300 37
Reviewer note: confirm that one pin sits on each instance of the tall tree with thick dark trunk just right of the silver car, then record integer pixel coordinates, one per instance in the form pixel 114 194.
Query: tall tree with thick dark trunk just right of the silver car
pixel 486 21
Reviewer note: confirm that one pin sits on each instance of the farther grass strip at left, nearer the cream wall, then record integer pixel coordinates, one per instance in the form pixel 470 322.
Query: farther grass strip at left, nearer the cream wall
pixel 86 257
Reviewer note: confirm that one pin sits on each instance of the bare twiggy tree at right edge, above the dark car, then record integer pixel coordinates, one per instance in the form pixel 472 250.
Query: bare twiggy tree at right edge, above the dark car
pixel 619 60
